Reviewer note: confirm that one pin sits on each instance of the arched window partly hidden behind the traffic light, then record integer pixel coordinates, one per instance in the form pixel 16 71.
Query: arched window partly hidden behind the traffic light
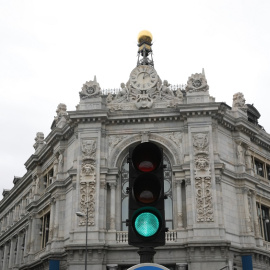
pixel 167 190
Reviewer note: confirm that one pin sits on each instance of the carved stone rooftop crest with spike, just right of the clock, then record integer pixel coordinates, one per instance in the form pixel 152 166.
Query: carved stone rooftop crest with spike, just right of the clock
pixel 197 83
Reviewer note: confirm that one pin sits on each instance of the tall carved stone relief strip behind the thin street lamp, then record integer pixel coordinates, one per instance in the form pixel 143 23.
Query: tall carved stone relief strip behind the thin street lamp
pixel 88 181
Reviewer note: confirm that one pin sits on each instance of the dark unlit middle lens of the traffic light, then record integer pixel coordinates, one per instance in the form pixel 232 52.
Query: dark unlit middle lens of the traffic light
pixel 147 188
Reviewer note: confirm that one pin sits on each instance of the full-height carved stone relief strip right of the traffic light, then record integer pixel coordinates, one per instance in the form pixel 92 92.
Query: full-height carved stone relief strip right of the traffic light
pixel 203 185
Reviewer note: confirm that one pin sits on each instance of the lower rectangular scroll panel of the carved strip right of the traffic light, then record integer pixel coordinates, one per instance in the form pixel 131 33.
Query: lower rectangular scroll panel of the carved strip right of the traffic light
pixel 204 200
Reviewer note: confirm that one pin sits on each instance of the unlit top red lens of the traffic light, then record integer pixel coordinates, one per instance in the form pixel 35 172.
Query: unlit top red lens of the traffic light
pixel 146 157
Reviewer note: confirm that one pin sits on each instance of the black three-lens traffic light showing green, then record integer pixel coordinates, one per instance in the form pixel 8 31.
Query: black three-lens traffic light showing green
pixel 146 224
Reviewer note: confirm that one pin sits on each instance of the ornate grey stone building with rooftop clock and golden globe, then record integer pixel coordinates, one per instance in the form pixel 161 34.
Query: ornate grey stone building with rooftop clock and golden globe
pixel 217 179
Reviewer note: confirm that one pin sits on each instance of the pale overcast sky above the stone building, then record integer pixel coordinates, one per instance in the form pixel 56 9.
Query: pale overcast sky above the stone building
pixel 48 49
